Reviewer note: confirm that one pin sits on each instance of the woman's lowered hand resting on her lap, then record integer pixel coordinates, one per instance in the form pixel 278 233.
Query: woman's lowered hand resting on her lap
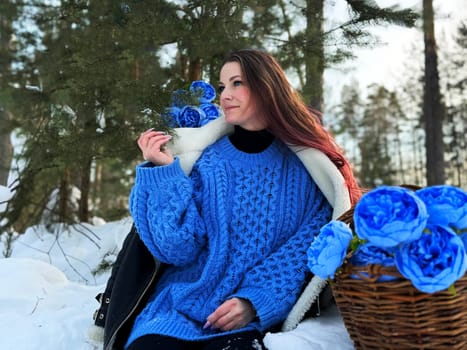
pixel 232 314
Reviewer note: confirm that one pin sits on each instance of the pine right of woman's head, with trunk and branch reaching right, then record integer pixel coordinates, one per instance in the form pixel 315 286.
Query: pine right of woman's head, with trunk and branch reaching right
pixel 309 44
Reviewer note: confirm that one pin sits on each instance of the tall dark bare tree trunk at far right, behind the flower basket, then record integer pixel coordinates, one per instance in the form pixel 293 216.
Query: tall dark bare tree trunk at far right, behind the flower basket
pixel 432 108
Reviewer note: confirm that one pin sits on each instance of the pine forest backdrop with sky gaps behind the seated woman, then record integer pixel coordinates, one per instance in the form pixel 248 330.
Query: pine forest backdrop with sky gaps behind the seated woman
pixel 79 80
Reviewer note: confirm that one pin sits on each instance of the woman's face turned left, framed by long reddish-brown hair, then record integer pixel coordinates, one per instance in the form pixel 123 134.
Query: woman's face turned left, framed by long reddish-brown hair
pixel 236 99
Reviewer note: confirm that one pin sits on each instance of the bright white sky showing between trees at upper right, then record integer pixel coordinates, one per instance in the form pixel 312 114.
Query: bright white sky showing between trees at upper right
pixel 385 64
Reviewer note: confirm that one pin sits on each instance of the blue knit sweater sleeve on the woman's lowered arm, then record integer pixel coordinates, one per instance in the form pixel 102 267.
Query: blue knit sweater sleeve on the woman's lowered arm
pixel 274 285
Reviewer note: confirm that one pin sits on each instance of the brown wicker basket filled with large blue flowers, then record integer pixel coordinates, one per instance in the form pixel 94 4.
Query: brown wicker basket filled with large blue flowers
pixel 397 263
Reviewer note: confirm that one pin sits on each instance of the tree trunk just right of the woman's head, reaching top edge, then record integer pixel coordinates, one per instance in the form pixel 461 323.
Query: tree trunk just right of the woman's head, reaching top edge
pixel 314 54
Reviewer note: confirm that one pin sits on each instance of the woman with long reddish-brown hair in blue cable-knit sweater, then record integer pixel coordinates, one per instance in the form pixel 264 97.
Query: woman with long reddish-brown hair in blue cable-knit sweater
pixel 231 217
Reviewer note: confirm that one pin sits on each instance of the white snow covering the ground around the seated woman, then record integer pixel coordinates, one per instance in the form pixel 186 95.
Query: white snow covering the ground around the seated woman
pixel 49 284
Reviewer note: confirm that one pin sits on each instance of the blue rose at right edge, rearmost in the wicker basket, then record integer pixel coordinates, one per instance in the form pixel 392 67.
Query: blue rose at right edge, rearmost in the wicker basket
pixel 446 205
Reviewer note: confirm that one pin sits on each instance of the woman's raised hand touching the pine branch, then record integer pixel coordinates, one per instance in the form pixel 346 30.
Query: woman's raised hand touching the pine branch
pixel 152 144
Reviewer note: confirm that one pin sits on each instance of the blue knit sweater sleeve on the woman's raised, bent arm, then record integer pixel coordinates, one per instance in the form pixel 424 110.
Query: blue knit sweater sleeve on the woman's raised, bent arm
pixel 165 213
